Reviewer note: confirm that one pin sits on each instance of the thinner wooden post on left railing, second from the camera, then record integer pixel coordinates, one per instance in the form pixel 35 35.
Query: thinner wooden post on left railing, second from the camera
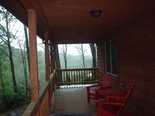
pixel 47 57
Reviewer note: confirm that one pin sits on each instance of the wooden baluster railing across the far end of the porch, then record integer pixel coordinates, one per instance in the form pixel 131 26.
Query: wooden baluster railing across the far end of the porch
pixel 76 76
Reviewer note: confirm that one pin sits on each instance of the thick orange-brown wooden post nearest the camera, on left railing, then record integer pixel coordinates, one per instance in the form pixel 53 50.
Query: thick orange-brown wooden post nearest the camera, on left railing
pixel 33 55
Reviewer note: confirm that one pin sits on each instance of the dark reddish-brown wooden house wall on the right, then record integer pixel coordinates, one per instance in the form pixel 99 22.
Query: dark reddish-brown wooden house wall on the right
pixel 136 63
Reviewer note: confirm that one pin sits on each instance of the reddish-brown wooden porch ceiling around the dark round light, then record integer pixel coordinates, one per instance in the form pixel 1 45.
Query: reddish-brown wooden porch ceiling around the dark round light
pixel 69 21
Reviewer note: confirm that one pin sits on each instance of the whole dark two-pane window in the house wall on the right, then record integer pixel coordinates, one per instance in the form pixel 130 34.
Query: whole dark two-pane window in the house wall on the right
pixel 110 57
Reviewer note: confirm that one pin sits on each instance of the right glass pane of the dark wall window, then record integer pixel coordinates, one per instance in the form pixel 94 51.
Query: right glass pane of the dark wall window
pixel 113 57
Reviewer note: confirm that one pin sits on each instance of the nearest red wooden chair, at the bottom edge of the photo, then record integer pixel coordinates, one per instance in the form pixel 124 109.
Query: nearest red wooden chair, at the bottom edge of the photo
pixel 114 105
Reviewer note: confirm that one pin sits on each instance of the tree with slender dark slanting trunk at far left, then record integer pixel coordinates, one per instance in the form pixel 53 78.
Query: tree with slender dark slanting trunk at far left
pixel 7 36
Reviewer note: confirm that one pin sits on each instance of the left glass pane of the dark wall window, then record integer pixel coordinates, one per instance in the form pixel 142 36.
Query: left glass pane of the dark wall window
pixel 107 56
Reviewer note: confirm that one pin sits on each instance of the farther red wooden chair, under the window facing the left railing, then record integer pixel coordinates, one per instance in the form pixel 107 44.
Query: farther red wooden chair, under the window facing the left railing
pixel 104 84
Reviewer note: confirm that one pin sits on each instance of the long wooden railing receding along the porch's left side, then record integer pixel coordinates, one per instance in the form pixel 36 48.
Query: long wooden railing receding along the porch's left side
pixel 43 105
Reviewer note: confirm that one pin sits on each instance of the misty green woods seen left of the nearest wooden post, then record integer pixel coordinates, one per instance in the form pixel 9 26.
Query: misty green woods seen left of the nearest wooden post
pixel 12 91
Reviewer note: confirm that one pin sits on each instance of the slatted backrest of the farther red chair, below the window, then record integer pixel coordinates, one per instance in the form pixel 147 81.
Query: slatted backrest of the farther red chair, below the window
pixel 106 81
